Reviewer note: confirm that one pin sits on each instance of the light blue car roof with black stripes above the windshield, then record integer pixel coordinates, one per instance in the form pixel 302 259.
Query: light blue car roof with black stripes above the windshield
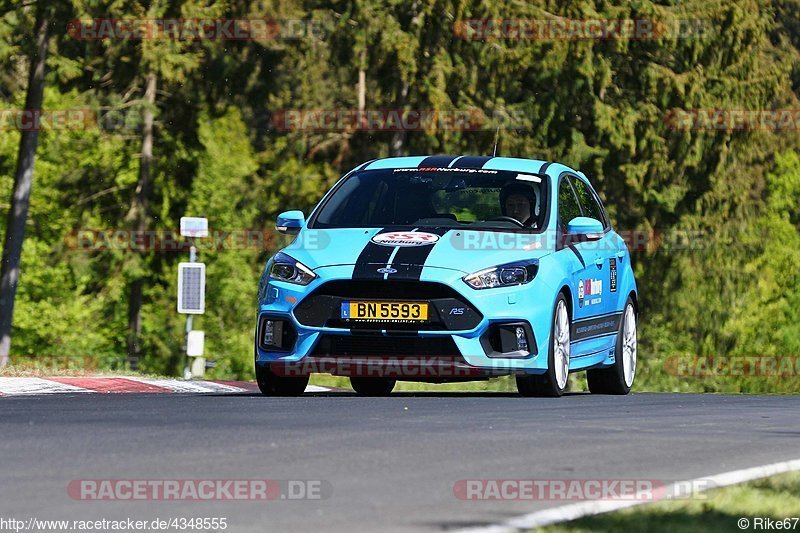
pixel 515 164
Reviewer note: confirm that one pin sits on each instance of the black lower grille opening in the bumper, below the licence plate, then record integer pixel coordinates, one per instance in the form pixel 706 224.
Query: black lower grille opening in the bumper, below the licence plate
pixel 380 346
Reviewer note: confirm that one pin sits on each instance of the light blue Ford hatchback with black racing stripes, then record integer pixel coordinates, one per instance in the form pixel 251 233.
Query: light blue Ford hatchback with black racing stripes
pixel 446 268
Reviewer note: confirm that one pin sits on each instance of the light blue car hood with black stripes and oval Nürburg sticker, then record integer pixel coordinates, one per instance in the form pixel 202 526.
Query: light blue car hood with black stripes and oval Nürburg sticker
pixel 466 251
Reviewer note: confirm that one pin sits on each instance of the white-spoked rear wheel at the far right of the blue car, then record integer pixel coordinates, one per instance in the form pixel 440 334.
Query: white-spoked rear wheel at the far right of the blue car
pixel 618 379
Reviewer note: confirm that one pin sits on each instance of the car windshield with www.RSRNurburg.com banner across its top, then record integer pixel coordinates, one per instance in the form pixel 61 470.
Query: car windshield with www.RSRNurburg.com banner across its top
pixel 466 198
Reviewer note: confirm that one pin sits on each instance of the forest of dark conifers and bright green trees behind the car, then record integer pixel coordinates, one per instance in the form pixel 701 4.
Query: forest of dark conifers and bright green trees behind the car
pixel 718 276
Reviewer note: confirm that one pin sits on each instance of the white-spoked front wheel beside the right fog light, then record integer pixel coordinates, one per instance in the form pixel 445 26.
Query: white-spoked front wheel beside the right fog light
pixel 552 383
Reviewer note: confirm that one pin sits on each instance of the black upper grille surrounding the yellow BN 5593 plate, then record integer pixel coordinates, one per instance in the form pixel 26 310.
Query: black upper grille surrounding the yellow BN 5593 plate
pixel 448 310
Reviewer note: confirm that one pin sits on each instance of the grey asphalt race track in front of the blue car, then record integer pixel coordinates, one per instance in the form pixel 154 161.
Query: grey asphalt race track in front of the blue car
pixel 389 464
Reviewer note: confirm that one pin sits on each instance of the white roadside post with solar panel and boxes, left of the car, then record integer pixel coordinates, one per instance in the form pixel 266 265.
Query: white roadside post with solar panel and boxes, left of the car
pixel 192 290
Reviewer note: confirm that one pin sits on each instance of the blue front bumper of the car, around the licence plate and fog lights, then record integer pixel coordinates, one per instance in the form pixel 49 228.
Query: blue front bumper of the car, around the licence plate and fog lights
pixel 468 336
